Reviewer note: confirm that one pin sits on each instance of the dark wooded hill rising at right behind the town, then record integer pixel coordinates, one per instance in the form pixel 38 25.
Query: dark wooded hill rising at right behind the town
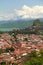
pixel 35 28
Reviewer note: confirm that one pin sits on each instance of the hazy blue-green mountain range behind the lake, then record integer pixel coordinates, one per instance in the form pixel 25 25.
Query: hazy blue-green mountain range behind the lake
pixel 16 24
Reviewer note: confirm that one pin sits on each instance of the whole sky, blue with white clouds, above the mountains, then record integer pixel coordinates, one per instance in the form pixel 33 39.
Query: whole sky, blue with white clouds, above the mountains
pixel 20 9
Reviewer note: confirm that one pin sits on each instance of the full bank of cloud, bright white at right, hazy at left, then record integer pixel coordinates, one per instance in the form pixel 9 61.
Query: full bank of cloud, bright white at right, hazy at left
pixel 25 12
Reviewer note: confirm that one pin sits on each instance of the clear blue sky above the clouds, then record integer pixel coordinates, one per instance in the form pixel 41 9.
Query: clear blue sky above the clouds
pixel 7 6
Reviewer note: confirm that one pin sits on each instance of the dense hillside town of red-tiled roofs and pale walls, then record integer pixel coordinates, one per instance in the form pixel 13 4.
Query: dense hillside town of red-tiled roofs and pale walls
pixel 14 49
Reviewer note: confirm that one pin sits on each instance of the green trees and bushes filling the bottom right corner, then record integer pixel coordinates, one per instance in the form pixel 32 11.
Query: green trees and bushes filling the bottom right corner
pixel 34 59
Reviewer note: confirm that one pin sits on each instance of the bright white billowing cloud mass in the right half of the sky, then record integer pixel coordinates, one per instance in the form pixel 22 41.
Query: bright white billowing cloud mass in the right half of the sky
pixel 30 12
